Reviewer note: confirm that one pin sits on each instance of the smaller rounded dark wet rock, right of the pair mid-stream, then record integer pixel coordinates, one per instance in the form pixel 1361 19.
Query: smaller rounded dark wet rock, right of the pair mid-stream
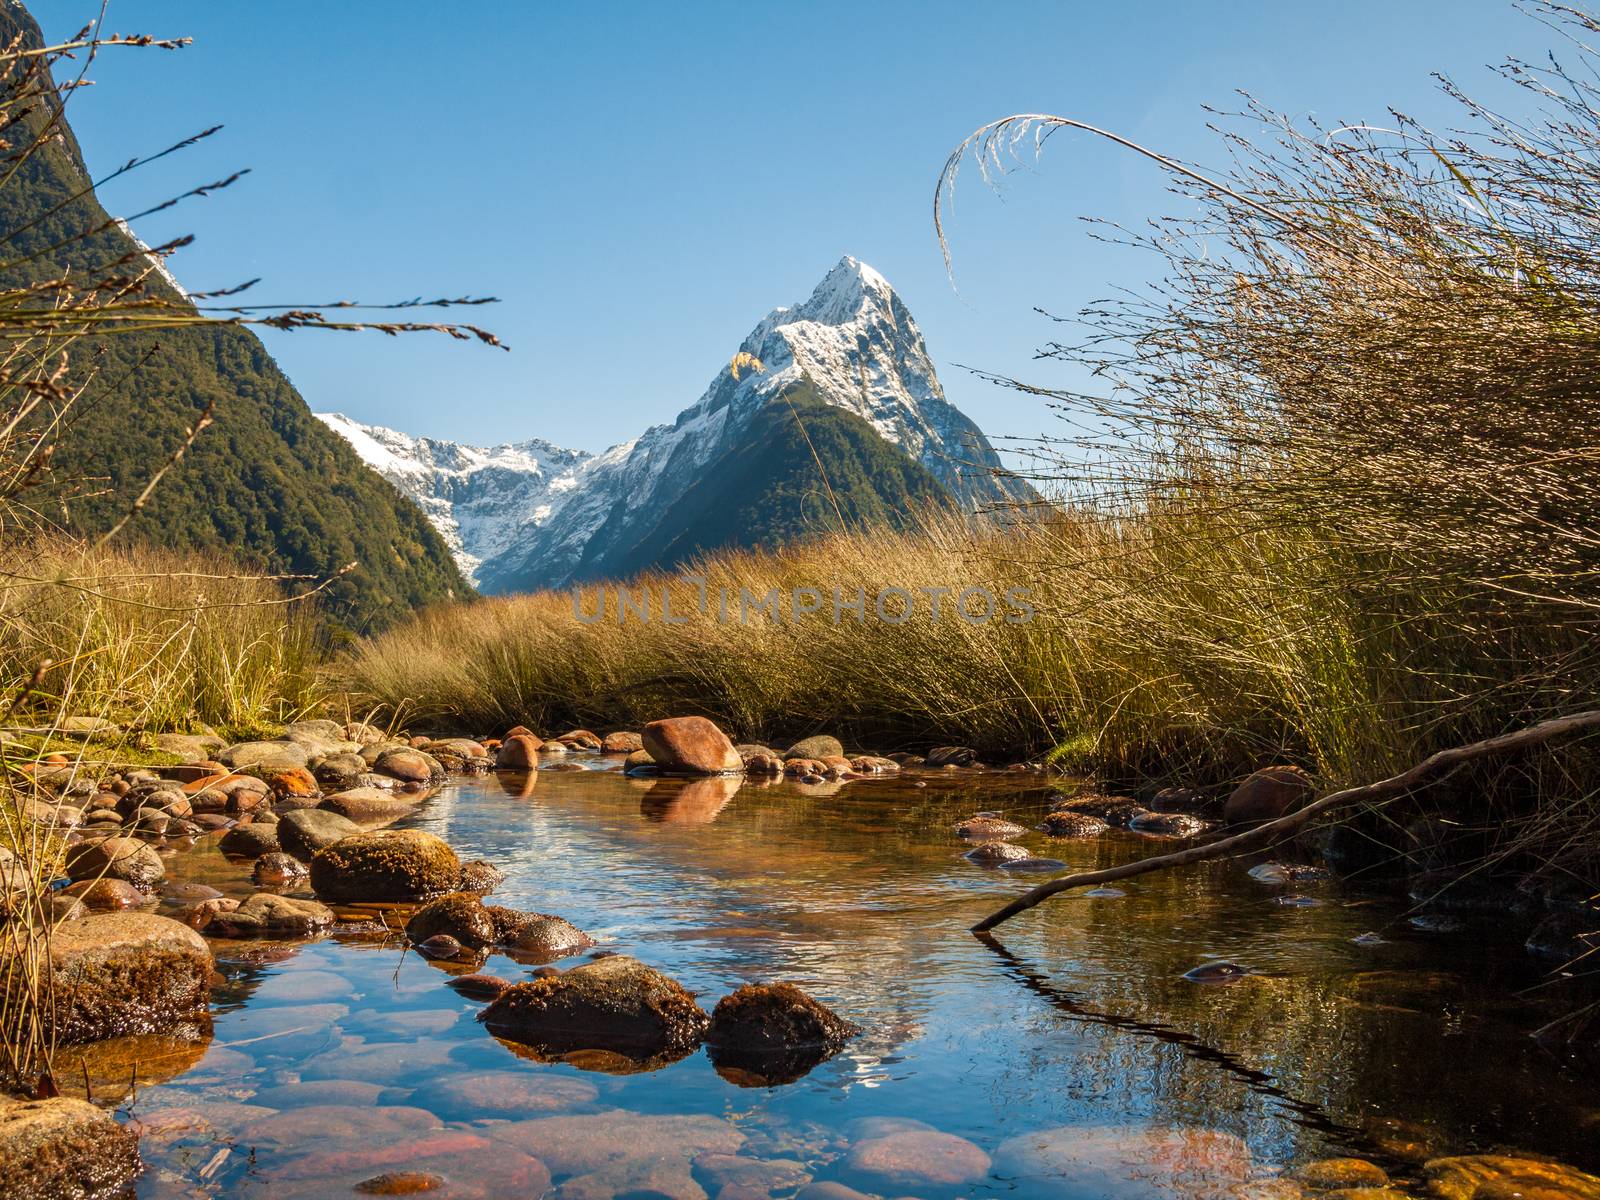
pixel 775 1033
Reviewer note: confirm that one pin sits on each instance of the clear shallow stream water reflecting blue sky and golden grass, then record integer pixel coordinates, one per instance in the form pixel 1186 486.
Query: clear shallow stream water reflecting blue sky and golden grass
pixel 1078 1015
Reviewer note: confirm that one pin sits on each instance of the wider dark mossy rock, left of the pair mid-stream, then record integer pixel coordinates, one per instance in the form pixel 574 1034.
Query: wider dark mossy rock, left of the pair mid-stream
pixel 612 1004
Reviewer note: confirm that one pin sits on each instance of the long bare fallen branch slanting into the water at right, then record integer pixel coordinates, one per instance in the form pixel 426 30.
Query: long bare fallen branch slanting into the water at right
pixel 1385 790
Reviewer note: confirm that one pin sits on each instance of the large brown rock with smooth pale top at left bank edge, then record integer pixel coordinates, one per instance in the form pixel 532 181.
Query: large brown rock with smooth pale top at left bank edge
pixel 119 974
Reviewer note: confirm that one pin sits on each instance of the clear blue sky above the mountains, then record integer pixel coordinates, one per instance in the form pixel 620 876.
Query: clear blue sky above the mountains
pixel 642 182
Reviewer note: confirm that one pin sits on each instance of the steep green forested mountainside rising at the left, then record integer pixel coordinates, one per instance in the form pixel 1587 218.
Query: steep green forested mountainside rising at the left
pixel 268 486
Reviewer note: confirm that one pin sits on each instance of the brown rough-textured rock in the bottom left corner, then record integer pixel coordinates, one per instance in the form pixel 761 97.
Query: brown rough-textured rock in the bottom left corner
pixel 65 1150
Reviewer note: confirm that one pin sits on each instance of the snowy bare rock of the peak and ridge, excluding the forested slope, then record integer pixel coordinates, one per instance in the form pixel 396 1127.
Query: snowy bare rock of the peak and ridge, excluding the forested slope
pixel 534 516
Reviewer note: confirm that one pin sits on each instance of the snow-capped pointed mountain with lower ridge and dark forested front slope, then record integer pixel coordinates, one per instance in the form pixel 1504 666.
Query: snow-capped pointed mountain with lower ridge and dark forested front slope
pixel 745 466
